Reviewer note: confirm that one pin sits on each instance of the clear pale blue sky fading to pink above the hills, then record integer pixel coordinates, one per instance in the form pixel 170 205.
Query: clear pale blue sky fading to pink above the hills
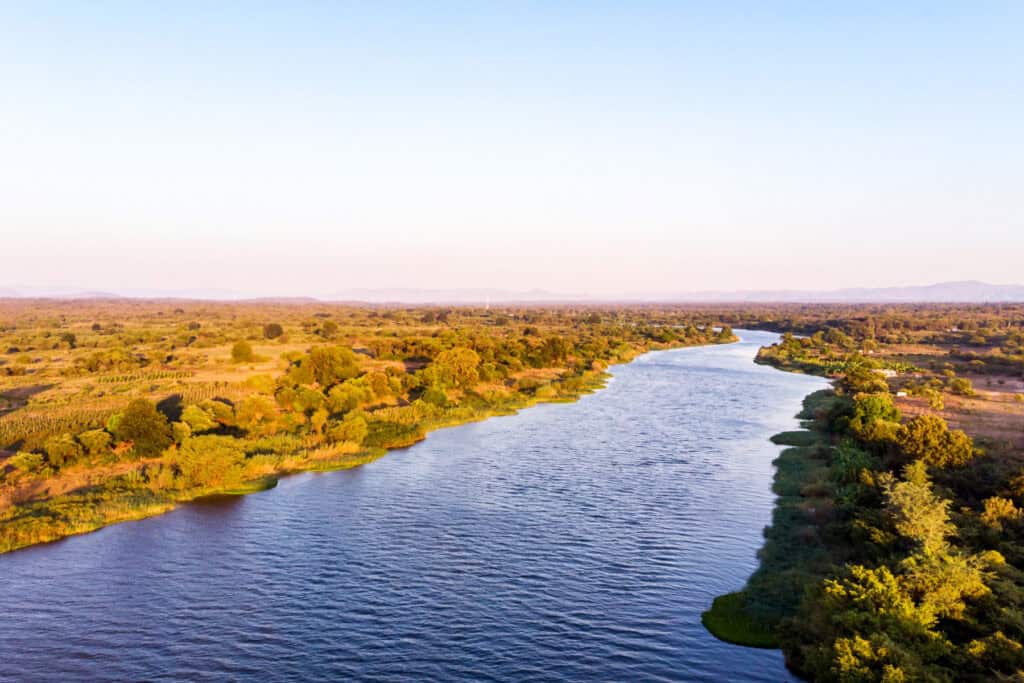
pixel 610 150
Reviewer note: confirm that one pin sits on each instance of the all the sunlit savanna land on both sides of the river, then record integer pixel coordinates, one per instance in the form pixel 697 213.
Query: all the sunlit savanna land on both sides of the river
pixel 899 534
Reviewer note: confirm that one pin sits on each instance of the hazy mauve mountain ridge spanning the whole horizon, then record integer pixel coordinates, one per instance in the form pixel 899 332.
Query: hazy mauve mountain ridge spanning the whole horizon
pixel 970 291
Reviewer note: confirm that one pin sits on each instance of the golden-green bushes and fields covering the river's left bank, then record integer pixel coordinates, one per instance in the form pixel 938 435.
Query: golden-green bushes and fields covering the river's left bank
pixel 115 411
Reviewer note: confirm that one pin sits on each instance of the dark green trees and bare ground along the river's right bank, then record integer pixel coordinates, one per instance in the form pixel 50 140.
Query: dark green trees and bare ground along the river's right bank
pixel 897 544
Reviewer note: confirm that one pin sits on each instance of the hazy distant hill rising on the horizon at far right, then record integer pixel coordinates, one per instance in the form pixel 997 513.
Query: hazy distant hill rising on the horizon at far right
pixel 959 292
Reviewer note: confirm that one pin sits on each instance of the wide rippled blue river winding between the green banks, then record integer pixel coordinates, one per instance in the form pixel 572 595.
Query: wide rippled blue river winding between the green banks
pixel 570 542
